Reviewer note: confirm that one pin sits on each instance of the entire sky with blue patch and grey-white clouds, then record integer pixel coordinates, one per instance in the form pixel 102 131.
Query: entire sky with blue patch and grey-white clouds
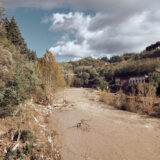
pixel 74 29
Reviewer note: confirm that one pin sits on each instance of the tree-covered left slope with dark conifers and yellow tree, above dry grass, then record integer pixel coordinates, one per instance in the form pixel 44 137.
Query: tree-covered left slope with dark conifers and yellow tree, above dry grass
pixel 22 74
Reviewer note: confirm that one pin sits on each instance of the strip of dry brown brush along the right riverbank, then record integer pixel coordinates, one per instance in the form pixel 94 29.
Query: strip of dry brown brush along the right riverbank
pixel 137 104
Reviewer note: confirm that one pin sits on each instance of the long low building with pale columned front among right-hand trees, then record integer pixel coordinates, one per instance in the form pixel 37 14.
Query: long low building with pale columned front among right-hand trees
pixel 124 81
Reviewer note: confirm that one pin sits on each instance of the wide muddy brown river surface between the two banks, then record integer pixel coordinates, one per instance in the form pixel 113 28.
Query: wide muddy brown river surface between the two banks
pixel 89 130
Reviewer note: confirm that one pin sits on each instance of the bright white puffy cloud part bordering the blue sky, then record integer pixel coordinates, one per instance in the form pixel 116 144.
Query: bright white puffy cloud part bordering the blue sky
pixel 76 23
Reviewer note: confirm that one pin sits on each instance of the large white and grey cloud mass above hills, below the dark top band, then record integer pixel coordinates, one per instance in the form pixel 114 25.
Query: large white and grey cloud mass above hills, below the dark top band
pixel 91 39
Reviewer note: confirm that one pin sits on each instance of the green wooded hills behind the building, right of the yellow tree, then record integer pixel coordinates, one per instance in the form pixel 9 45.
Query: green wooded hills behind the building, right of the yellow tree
pixel 101 73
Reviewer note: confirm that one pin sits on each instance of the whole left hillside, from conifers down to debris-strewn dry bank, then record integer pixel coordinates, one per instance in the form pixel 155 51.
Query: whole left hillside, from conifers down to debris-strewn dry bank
pixel 27 86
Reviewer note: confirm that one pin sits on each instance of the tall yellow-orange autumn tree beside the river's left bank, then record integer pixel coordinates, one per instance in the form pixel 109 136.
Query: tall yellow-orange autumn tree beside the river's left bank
pixel 50 73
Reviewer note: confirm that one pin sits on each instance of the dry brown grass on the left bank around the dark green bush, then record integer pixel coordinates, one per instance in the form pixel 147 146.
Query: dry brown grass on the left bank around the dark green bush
pixel 35 119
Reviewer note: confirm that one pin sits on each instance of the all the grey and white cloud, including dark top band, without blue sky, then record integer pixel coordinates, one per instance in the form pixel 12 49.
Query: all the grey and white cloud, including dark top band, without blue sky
pixel 118 26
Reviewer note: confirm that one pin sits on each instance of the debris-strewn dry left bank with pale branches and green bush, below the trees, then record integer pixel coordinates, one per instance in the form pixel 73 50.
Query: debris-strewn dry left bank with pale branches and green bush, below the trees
pixel 27 135
